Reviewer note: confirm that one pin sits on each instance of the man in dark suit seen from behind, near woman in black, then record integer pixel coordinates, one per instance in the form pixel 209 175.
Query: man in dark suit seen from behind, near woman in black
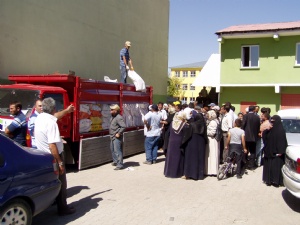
pixel 251 125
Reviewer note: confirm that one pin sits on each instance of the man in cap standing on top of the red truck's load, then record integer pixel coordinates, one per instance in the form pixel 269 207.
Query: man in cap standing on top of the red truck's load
pixel 125 62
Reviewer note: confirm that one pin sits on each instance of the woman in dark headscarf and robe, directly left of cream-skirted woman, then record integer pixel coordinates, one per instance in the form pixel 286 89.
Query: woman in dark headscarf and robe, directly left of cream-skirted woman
pixel 193 143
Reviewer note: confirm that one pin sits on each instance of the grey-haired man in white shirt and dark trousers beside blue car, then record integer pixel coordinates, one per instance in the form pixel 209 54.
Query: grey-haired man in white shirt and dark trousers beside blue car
pixel 47 137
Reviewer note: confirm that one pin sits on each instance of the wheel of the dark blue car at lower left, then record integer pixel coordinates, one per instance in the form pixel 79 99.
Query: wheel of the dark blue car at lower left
pixel 16 211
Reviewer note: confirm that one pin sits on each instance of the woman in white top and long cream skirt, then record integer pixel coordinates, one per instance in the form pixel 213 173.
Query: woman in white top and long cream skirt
pixel 212 155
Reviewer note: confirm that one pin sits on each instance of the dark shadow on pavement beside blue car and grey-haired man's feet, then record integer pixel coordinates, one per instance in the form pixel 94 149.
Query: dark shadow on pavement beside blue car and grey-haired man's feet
pixel 82 206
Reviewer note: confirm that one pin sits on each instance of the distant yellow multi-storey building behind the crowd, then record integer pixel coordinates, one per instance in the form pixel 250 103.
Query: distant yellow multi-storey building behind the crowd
pixel 188 73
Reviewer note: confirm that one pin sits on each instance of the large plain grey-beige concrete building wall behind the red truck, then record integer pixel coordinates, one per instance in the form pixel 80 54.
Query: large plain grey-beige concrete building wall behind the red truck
pixel 85 36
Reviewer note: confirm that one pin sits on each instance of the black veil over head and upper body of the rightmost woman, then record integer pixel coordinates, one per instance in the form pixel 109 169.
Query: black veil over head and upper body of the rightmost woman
pixel 275 138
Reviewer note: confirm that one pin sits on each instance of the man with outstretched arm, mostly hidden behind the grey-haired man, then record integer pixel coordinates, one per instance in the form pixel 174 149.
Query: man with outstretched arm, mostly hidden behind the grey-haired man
pixel 38 110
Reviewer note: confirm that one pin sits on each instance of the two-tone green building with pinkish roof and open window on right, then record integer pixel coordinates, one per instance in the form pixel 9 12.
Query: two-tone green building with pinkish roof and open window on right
pixel 260 65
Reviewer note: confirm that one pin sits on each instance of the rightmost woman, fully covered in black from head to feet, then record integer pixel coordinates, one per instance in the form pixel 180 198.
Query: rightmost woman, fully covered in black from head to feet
pixel 275 145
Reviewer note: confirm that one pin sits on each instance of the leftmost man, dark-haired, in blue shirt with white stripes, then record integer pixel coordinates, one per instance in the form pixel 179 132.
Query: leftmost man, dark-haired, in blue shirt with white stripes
pixel 18 128
